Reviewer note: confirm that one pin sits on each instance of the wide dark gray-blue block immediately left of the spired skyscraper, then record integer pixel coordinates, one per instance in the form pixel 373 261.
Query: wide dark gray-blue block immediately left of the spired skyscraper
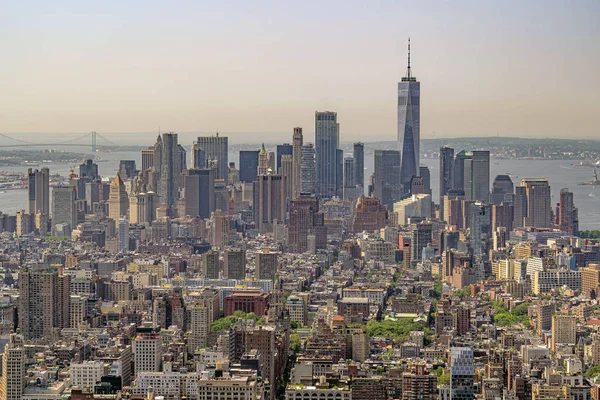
pixel 386 177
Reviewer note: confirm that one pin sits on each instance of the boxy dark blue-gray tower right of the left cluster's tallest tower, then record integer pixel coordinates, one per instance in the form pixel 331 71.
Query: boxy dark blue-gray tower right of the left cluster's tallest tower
pixel 200 192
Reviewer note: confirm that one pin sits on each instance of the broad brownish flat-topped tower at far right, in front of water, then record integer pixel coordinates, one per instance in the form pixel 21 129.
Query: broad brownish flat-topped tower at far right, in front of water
pixel 538 209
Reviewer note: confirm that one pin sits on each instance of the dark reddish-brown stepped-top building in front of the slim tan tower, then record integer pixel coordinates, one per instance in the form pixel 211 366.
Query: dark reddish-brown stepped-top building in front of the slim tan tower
pixel 305 220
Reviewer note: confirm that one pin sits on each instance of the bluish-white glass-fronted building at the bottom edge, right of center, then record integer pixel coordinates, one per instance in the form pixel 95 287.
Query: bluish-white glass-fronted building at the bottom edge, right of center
pixel 461 374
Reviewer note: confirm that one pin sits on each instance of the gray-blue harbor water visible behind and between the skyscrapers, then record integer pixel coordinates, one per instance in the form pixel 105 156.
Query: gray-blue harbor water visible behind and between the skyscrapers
pixel 560 174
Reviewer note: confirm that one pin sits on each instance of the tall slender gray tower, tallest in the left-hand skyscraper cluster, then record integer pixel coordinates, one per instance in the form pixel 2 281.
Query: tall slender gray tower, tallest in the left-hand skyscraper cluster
pixel 169 170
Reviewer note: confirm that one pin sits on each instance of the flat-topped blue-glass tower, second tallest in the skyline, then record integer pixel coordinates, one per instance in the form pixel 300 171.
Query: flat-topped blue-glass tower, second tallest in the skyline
pixel 326 146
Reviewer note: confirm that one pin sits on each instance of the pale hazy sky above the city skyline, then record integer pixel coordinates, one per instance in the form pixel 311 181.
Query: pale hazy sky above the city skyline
pixel 515 68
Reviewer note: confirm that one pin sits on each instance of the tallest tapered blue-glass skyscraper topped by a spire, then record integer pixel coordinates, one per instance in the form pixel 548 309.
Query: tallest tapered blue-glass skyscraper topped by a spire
pixel 409 124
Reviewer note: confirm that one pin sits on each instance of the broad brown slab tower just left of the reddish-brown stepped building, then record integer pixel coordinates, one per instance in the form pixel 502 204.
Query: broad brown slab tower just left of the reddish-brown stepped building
pixel 269 201
